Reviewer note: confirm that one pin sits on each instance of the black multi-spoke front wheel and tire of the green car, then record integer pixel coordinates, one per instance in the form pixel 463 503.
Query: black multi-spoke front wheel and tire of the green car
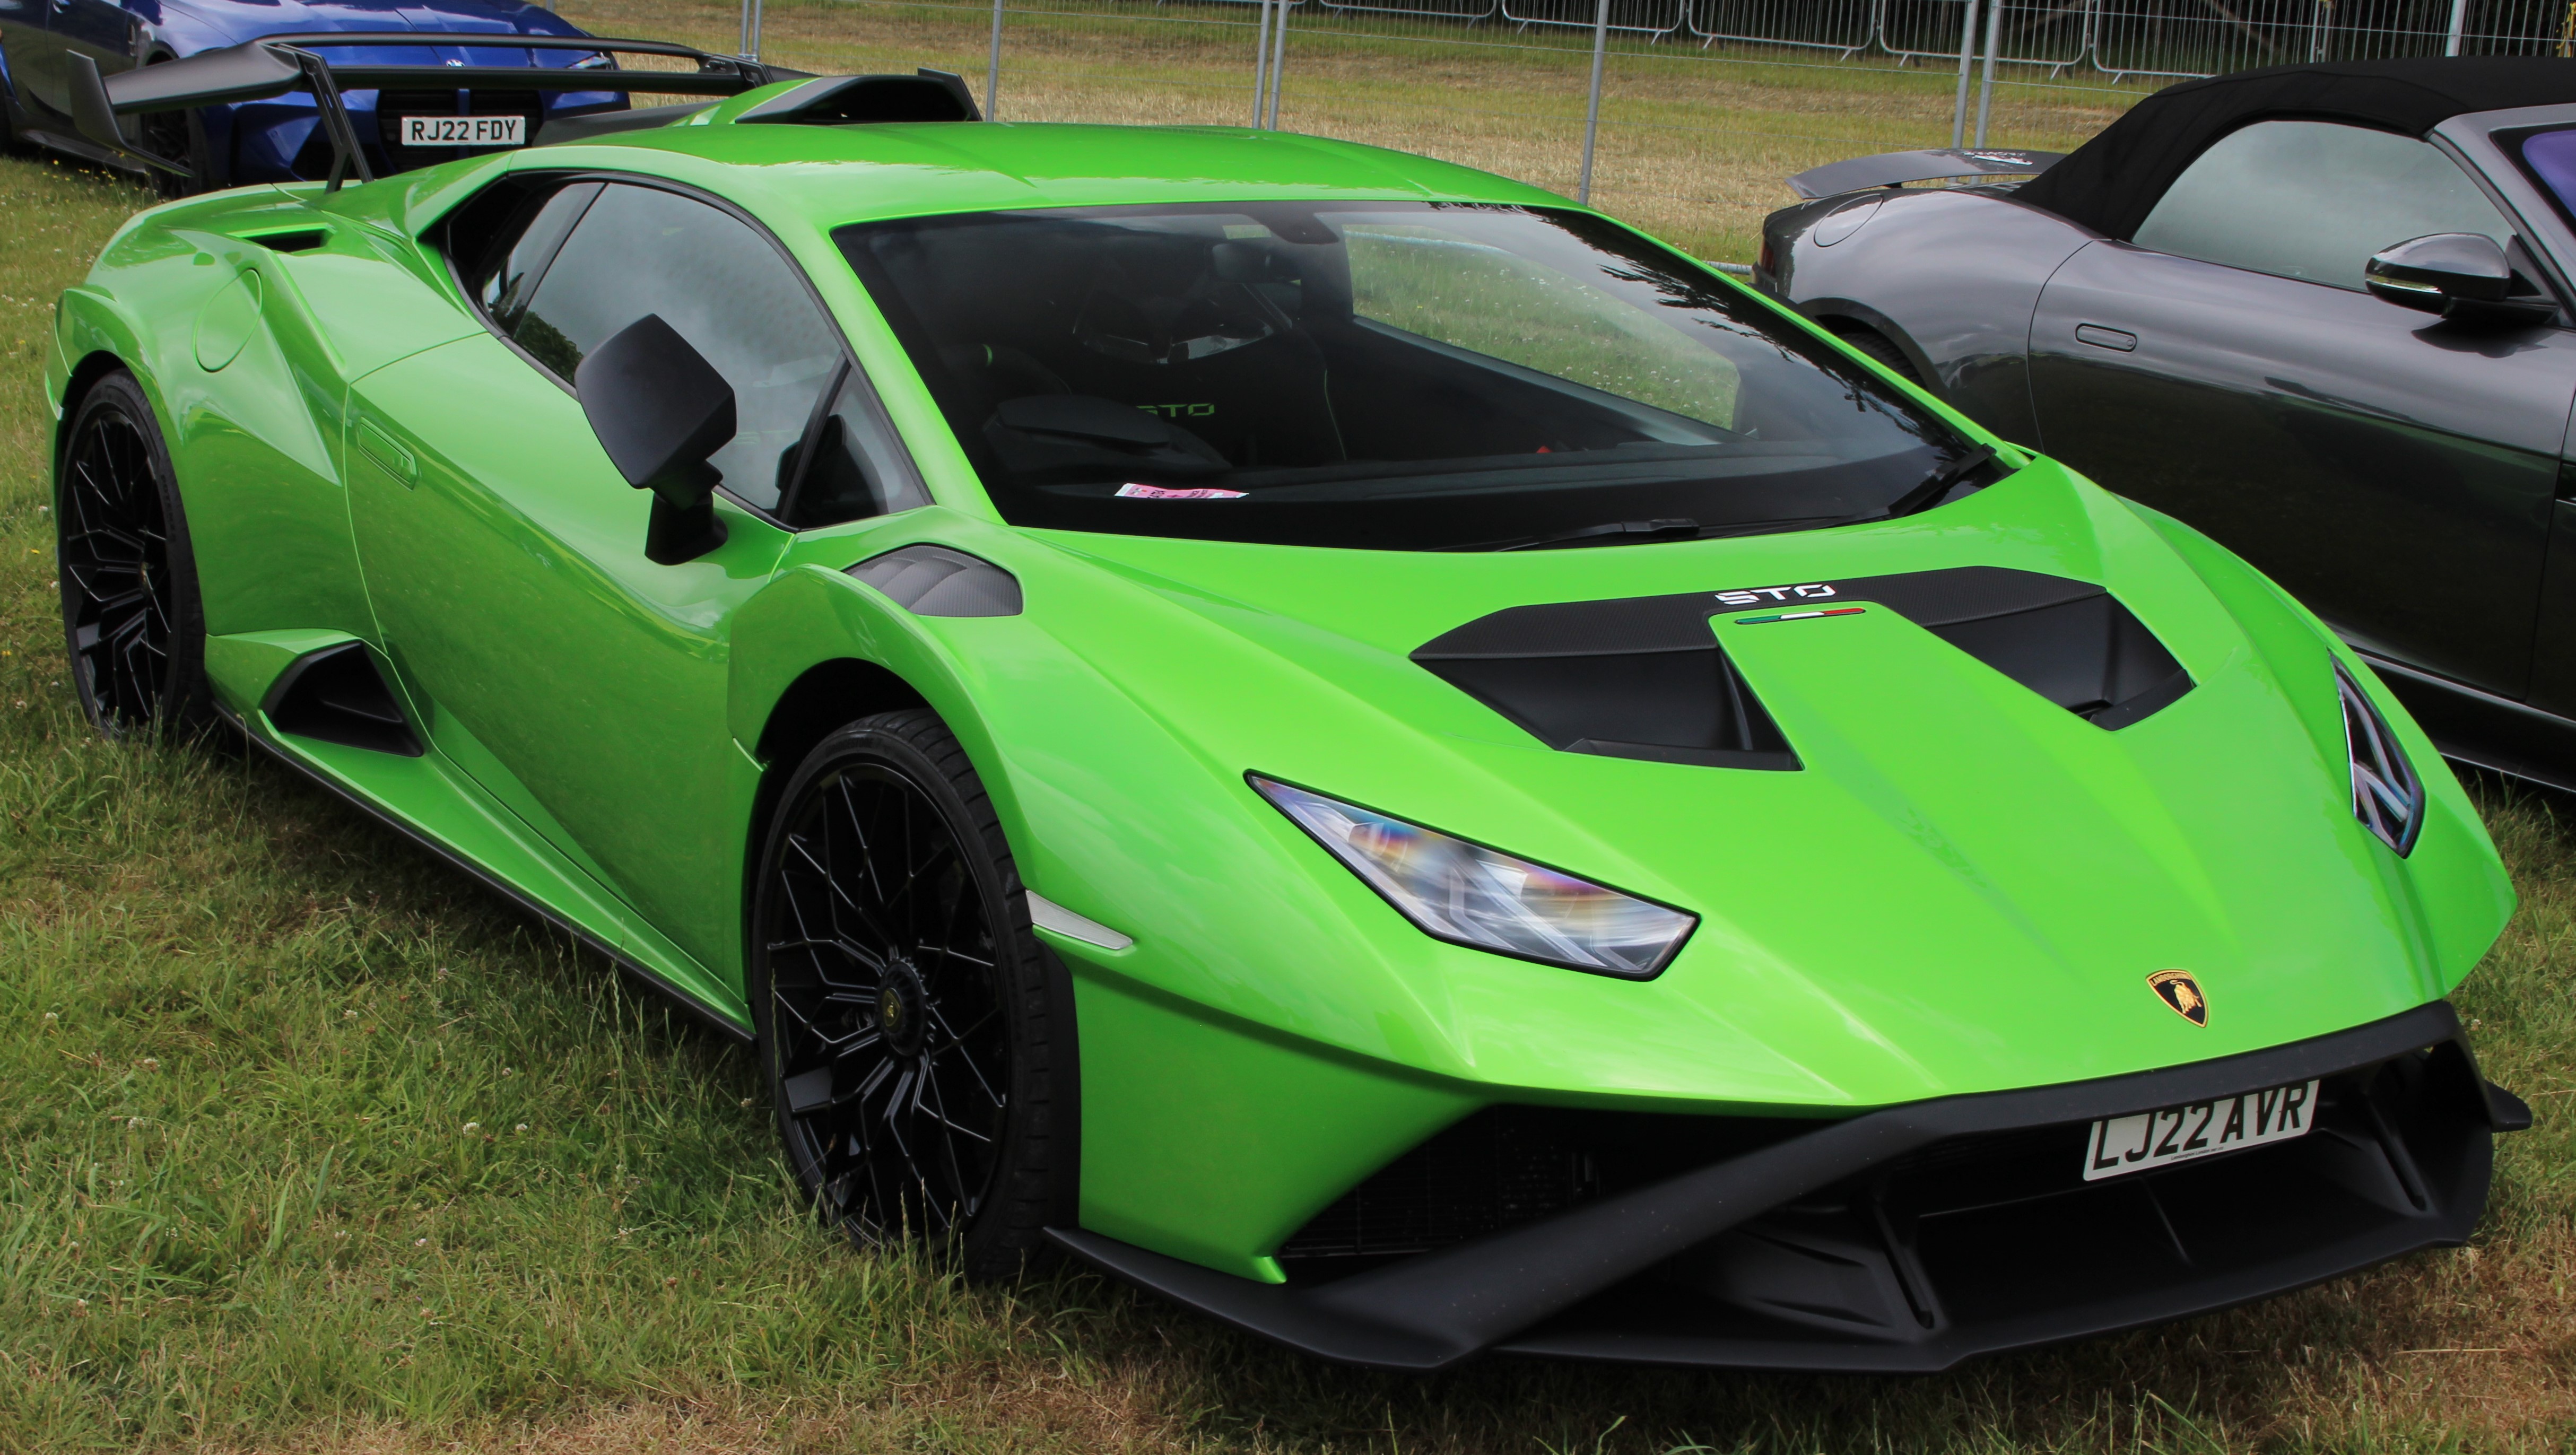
pixel 911 1029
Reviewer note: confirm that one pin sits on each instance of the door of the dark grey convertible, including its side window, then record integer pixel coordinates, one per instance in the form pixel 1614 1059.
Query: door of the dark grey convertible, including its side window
pixel 2392 470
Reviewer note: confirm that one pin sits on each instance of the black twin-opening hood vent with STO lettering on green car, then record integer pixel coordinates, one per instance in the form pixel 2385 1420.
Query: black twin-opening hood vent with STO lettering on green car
pixel 1647 679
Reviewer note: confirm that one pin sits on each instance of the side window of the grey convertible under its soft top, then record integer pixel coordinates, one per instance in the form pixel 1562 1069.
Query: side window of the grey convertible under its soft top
pixel 2315 200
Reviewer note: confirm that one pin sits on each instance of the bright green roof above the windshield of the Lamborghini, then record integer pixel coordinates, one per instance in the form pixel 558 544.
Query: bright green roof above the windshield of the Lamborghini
pixel 916 169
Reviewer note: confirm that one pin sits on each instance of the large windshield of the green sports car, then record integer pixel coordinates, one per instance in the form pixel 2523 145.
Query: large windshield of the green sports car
pixel 1382 375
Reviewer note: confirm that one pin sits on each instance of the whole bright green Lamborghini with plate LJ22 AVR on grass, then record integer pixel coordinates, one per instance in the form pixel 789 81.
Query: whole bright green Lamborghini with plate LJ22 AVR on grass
pixel 1333 735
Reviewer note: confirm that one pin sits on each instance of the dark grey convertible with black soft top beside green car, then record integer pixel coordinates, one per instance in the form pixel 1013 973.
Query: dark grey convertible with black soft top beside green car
pixel 2320 313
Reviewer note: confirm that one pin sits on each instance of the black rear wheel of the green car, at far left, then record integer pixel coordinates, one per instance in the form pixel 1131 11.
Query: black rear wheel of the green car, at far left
pixel 130 604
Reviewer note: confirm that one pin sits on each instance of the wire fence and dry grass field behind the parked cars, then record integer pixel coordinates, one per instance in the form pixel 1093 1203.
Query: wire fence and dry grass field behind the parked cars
pixel 1676 115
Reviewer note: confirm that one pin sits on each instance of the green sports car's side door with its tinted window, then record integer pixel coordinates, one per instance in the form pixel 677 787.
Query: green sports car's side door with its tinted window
pixel 504 555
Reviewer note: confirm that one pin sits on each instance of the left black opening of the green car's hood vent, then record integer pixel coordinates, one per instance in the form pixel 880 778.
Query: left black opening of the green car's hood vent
pixel 1622 679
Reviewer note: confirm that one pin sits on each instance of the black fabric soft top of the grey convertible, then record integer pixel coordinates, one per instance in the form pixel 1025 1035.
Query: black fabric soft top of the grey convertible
pixel 2116 179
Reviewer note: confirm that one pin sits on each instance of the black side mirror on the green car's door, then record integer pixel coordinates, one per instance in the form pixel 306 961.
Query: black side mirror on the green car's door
pixel 661 411
